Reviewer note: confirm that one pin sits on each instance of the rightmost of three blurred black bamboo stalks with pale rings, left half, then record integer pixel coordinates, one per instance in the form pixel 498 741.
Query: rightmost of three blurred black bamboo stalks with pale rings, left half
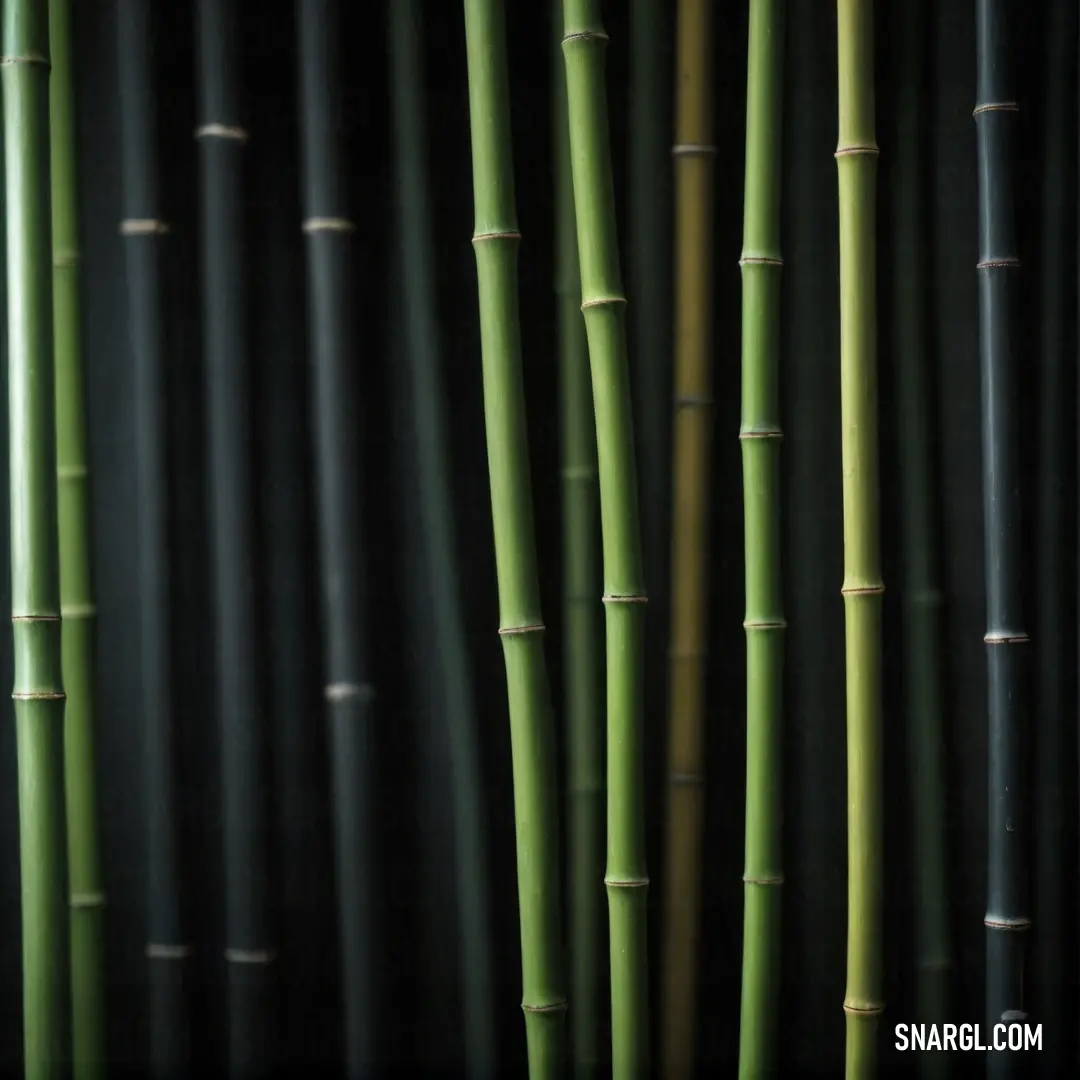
pixel 331 245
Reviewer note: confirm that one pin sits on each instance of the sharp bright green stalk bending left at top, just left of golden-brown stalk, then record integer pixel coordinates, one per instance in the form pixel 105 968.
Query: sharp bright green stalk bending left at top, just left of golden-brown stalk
pixel 604 305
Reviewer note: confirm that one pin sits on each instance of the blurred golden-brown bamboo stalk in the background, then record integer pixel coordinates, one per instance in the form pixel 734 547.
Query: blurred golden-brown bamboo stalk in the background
pixel 694 154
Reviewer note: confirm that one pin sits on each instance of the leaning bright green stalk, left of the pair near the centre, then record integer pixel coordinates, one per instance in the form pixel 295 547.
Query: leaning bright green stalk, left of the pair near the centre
pixel 496 241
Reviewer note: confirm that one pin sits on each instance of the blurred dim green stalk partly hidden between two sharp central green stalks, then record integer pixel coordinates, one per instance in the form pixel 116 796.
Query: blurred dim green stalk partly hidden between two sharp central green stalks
pixel 583 657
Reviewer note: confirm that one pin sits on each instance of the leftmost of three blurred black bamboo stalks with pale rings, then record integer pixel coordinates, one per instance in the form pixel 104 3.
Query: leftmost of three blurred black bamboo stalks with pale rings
pixel 144 233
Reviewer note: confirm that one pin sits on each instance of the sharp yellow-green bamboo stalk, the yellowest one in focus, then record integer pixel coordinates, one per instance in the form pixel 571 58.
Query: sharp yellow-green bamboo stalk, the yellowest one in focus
pixel 857 173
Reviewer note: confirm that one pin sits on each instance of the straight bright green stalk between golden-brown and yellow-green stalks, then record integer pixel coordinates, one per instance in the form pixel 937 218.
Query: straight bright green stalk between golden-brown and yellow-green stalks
pixel 760 438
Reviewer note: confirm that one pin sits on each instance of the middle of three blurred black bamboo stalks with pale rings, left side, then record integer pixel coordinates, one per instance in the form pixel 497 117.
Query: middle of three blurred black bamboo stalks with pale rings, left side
pixel 222 140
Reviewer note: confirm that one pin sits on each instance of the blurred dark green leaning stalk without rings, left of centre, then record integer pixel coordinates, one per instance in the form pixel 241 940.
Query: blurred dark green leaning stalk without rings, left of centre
pixel 425 362
